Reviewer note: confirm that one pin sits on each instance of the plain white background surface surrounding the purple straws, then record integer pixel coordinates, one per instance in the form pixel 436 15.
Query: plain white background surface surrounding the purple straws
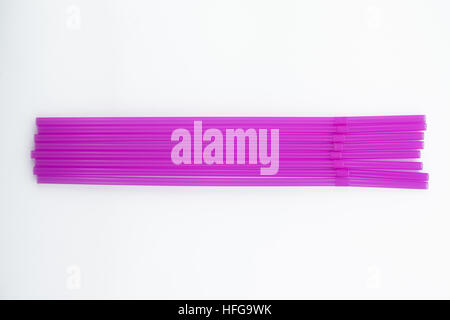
pixel 236 58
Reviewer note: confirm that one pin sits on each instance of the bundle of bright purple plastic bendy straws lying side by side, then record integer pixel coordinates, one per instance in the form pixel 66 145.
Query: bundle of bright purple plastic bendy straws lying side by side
pixel 379 151
